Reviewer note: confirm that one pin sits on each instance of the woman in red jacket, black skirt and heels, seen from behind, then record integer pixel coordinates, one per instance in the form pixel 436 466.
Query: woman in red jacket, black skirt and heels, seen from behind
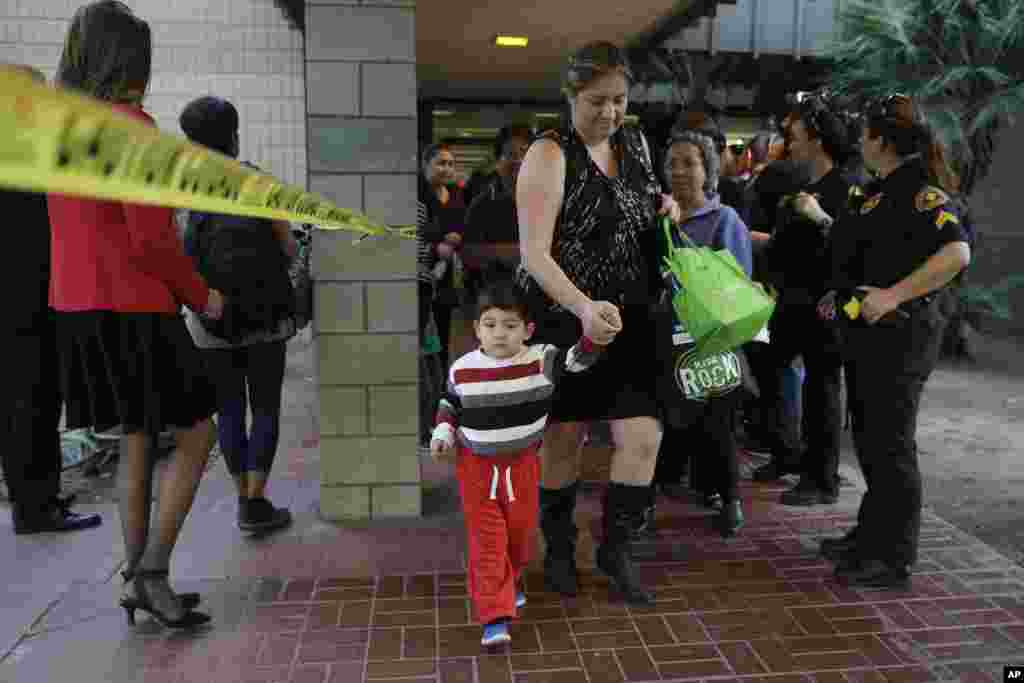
pixel 119 278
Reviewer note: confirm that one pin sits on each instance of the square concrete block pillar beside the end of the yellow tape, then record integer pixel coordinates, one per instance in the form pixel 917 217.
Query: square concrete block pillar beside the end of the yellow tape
pixel 361 74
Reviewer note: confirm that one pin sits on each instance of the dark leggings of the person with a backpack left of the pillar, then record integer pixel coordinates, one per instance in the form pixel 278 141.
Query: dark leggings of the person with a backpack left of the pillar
pixel 249 376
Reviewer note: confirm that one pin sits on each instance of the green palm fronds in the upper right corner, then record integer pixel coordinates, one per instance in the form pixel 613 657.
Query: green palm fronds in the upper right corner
pixel 963 61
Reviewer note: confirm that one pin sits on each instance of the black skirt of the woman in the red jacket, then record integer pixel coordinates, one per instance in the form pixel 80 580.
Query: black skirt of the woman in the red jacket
pixel 138 370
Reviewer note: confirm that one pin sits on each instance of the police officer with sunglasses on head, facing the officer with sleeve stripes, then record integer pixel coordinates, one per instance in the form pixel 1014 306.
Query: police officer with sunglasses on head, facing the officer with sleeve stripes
pixel 796 263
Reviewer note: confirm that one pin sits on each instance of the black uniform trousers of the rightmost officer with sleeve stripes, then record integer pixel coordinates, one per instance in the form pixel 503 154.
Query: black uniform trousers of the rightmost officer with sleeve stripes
pixel 887 369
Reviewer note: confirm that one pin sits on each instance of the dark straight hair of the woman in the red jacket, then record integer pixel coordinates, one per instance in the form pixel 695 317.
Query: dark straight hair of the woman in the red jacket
pixel 108 53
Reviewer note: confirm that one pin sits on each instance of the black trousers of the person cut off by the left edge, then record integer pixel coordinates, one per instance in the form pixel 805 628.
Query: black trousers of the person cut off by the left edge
pixel 31 453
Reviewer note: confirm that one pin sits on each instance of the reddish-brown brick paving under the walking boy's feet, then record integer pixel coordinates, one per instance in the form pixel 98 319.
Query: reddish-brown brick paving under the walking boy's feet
pixel 761 607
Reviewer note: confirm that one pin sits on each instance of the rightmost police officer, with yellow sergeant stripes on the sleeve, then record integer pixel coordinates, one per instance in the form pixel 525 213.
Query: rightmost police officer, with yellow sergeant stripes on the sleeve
pixel 891 260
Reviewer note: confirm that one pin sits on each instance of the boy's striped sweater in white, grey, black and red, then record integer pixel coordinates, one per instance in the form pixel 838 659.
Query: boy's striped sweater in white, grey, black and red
pixel 500 407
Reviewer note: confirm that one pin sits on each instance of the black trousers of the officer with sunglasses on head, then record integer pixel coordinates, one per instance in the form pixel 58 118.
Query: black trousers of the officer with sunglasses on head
pixel 797 330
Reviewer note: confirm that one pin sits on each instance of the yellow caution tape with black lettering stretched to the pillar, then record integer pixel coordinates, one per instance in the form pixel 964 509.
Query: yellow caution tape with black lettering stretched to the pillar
pixel 53 141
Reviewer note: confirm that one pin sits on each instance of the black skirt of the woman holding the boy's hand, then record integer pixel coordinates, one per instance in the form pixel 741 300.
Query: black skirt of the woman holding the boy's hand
pixel 621 386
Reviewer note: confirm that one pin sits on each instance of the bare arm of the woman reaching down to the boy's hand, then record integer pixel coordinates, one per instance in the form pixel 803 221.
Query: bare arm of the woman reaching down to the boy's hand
pixel 539 199
